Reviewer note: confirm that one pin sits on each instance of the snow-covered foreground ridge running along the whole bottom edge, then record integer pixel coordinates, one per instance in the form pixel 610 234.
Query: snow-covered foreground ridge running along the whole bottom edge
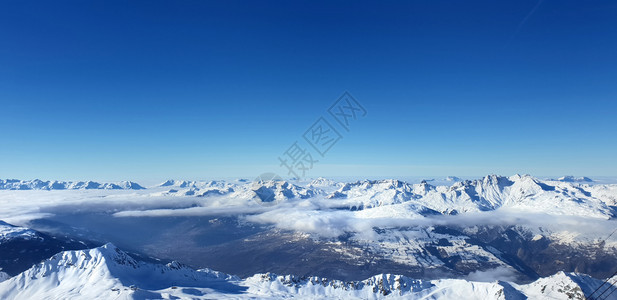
pixel 109 273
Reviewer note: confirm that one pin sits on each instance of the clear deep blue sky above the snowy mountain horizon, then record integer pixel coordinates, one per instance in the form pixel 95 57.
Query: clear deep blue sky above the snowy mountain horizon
pixel 115 90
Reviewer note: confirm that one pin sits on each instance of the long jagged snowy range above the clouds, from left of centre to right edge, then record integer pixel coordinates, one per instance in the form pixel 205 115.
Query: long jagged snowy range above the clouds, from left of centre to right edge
pixel 493 192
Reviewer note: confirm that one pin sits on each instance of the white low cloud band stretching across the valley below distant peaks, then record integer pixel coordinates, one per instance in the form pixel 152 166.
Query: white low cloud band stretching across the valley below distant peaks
pixel 315 216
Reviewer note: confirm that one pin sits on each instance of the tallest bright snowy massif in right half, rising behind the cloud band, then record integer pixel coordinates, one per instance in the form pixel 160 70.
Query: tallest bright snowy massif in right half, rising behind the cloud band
pixel 489 193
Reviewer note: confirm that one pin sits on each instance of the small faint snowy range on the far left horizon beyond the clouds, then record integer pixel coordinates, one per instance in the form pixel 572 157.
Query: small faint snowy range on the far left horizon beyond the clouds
pixel 36 184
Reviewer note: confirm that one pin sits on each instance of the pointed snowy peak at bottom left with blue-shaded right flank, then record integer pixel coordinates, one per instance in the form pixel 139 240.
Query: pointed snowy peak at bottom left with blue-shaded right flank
pixel 104 273
